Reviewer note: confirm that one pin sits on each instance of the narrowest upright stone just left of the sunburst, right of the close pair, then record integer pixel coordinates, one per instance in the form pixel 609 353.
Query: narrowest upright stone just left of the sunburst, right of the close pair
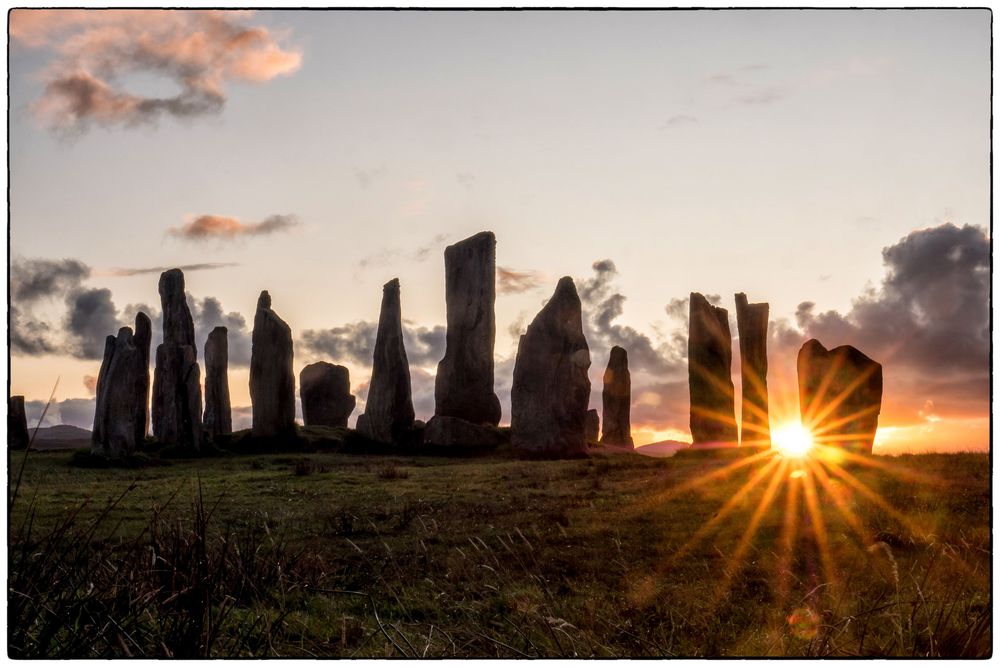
pixel 751 322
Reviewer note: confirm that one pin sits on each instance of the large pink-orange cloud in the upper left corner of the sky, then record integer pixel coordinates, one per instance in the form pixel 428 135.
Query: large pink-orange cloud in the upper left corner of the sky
pixel 200 52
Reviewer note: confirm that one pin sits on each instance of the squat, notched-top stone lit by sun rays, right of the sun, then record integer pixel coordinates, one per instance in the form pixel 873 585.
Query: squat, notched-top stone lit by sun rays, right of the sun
pixel 840 395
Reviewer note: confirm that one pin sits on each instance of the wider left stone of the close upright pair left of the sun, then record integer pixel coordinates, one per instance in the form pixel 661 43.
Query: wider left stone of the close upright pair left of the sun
pixel 710 358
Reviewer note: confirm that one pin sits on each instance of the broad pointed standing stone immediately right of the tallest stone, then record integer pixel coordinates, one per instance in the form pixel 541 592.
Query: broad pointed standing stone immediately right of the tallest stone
pixel 551 389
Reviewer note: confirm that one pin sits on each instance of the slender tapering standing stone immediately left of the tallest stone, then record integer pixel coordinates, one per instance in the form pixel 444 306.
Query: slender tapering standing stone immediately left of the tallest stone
pixel 389 409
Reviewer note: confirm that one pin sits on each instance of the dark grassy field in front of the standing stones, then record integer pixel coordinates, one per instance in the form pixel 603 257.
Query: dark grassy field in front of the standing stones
pixel 337 554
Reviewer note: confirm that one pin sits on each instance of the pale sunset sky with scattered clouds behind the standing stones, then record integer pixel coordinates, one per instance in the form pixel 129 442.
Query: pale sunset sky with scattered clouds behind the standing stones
pixel 834 164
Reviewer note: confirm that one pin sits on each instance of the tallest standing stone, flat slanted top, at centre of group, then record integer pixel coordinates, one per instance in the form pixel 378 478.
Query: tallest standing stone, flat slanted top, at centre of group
pixel 463 386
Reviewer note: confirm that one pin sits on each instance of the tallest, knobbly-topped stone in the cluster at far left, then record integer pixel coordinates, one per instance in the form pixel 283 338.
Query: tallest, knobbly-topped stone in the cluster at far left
pixel 177 377
